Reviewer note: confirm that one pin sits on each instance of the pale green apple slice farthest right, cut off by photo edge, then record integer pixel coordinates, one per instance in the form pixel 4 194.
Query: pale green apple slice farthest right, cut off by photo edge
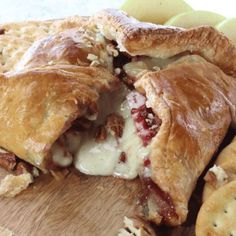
pixel 227 27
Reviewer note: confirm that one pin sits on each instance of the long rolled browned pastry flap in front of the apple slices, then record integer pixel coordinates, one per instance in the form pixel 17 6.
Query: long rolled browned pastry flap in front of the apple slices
pixel 137 38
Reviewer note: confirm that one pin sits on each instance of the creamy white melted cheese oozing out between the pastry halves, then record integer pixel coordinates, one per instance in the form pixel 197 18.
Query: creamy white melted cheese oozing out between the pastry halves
pixel 103 158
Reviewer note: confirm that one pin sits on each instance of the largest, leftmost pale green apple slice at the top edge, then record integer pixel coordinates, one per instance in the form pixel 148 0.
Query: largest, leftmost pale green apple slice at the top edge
pixel 155 11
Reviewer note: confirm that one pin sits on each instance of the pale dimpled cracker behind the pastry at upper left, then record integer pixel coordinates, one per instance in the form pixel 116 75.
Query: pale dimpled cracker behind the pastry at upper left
pixel 16 38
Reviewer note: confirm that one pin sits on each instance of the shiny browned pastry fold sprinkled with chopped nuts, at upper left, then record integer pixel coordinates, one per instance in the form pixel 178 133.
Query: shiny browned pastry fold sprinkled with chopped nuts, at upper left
pixel 78 46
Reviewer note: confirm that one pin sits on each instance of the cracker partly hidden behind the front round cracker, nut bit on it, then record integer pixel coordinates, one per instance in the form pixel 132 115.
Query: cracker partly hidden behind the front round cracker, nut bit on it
pixel 230 169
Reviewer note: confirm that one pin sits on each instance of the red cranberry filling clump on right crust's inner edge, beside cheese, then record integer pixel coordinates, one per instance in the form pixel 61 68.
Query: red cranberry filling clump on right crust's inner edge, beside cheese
pixel 146 122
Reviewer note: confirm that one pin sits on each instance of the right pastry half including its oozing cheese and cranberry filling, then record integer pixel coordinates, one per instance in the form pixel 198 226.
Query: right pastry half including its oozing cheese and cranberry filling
pixel 160 133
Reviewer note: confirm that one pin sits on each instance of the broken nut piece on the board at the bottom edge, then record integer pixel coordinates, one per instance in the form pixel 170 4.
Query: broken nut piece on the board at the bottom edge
pixel 136 227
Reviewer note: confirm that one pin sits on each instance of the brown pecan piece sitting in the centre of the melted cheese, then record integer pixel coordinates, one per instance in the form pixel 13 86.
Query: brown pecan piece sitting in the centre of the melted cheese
pixel 115 125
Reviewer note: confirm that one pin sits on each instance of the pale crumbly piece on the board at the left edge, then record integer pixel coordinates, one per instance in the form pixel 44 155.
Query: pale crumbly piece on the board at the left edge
pixel 12 185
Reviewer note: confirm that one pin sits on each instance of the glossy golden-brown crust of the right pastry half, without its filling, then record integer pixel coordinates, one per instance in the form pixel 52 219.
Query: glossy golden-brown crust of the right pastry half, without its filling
pixel 190 99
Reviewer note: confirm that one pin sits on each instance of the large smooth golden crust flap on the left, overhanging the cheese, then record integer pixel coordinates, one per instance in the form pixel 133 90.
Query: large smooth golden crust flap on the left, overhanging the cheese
pixel 38 105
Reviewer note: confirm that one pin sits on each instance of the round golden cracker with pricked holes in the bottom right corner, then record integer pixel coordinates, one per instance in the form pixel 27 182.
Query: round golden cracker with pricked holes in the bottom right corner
pixel 217 214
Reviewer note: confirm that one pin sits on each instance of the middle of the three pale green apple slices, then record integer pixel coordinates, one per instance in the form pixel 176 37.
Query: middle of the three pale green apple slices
pixel 194 19
